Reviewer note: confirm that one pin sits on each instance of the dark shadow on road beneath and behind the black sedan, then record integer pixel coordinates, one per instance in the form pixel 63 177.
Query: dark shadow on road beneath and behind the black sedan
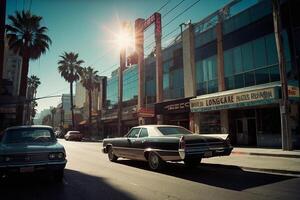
pixel 228 177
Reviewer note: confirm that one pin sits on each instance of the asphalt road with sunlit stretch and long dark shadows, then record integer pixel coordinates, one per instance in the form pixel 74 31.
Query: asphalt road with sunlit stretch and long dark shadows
pixel 89 175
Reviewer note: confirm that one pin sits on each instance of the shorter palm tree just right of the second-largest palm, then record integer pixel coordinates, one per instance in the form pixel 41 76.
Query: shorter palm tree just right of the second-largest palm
pixel 89 80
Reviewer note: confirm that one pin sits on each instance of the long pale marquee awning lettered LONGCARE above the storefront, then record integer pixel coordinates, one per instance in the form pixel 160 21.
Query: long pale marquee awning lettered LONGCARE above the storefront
pixel 243 97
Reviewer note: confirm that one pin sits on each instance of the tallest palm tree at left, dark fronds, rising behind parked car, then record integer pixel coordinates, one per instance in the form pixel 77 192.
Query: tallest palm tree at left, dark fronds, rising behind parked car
pixel 28 38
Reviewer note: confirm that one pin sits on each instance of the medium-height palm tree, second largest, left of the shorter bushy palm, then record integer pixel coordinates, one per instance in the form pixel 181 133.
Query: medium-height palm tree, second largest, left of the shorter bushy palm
pixel 69 68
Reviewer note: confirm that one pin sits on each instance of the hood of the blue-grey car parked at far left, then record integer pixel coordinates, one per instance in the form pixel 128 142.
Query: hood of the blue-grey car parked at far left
pixel 31 148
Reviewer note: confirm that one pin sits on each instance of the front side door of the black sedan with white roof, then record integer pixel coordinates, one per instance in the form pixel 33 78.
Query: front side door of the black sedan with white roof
pixel 129 150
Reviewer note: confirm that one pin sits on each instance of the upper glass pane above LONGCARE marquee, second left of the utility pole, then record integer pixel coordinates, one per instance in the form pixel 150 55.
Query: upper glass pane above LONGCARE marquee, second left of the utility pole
pixel 259 52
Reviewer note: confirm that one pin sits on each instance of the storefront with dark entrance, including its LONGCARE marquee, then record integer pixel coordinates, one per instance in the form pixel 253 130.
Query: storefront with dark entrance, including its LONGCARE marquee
pixel 250 115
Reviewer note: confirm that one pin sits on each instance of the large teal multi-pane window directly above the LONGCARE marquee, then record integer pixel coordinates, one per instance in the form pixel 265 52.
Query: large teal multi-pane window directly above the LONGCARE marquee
pixel 254 62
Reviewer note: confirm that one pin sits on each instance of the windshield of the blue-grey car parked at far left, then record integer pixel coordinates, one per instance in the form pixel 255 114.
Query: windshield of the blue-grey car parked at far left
pixel 27 135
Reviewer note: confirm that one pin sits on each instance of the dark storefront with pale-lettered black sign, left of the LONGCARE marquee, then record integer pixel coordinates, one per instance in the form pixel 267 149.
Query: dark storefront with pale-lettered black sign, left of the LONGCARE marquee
pixel 176 112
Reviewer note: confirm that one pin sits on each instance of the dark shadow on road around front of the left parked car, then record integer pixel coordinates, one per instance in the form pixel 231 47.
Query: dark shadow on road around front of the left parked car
pixel 75 186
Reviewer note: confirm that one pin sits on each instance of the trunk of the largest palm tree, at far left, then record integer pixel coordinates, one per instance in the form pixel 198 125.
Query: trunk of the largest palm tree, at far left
pixel 23 87
